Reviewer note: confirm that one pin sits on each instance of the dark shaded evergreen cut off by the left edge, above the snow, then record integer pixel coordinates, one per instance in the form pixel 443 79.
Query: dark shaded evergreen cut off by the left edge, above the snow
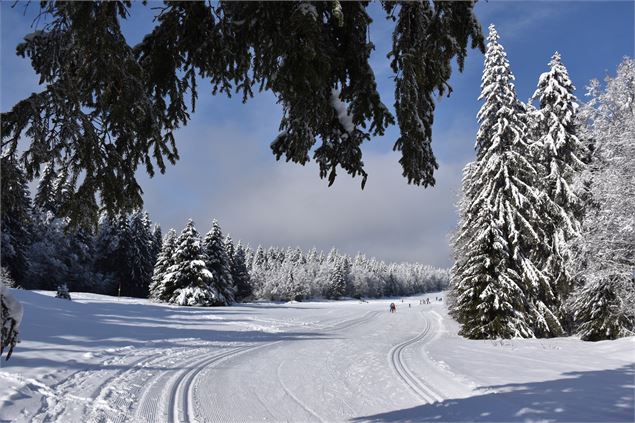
pixel 15 204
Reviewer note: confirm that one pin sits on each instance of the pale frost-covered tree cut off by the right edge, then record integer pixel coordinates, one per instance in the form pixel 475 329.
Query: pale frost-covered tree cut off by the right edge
pixel 605 255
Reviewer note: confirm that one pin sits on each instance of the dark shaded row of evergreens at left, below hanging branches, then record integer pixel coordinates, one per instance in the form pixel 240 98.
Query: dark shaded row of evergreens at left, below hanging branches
pixel 41 251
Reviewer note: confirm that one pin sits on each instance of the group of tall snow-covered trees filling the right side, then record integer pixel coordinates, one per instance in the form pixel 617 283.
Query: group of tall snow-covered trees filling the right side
pixel 524 199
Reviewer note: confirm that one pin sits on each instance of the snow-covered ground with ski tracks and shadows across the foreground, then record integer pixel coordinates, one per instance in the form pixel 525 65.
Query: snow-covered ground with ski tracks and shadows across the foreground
pixel 99 359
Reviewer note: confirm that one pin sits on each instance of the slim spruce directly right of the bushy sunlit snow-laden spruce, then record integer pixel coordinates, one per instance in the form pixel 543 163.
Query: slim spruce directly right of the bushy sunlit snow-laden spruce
pixel 218 262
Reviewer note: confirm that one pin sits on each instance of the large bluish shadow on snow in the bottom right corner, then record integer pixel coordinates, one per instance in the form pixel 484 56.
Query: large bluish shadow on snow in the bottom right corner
pixel 590 396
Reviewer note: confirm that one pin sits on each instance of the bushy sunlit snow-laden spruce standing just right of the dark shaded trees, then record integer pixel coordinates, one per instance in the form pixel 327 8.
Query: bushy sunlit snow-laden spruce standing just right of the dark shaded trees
pixel 188 281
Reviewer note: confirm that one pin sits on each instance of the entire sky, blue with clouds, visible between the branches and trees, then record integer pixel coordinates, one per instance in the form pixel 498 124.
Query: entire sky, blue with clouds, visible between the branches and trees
pixel 227 171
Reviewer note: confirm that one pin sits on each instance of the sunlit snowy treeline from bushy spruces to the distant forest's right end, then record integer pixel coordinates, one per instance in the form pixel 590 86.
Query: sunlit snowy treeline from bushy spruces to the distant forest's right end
pixel 192 270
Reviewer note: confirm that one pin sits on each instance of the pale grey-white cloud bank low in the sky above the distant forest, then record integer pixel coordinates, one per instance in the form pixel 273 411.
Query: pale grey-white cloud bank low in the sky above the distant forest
pixel 229 176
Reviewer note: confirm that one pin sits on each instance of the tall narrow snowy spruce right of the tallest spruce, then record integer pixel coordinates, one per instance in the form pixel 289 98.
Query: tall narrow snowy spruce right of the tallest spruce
pixel 559 152
